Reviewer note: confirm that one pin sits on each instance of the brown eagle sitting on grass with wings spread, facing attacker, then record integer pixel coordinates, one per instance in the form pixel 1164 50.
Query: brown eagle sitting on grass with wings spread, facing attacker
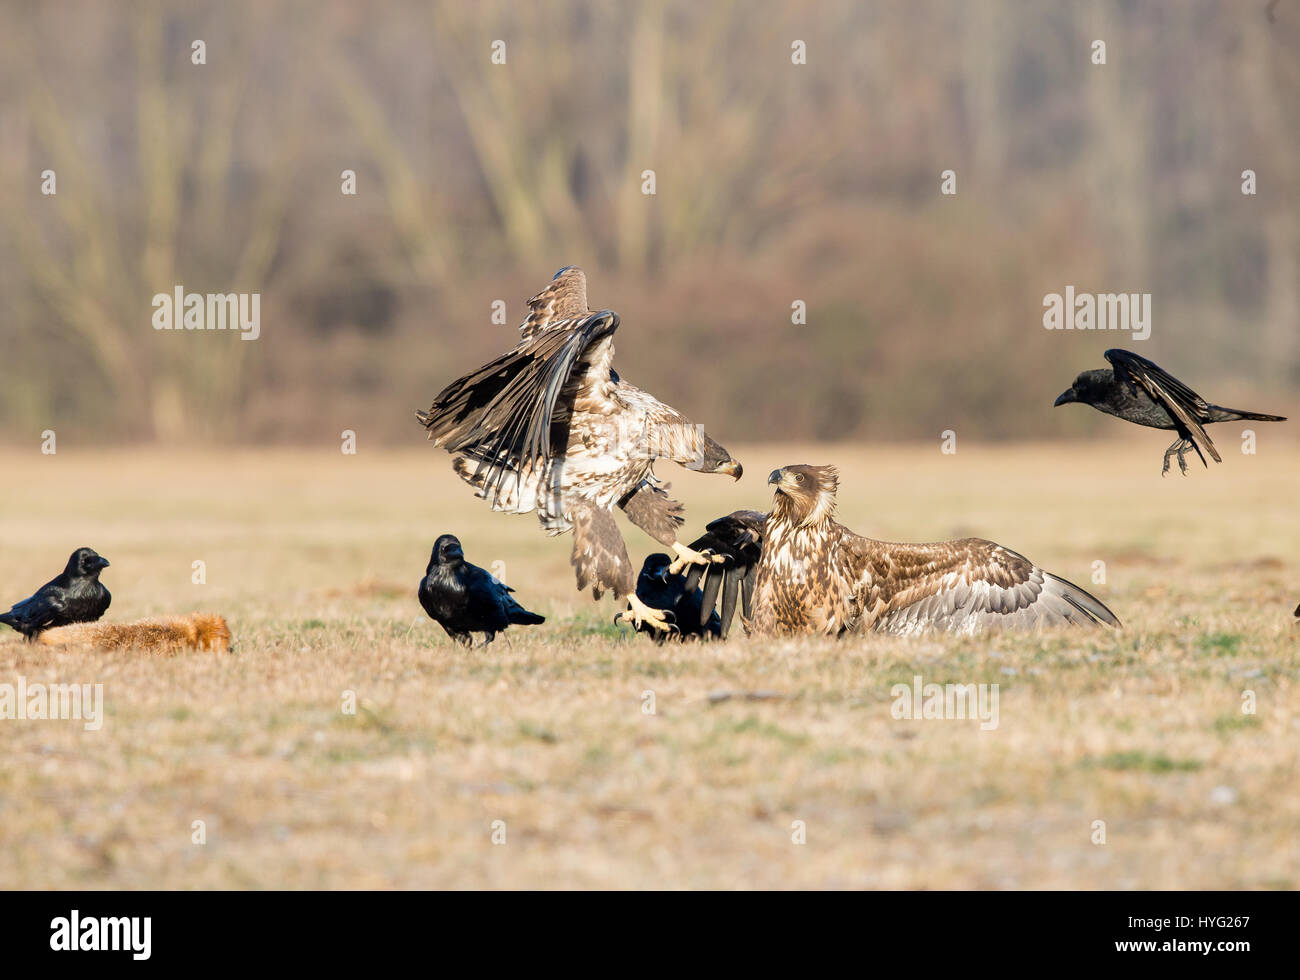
pixel 800 571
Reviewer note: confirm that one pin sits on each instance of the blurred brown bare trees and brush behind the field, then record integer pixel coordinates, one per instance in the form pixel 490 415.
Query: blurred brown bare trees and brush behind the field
pixel 775 183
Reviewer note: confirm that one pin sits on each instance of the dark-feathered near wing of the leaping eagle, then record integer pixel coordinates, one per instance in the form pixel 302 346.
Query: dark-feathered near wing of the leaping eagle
pixel 504 414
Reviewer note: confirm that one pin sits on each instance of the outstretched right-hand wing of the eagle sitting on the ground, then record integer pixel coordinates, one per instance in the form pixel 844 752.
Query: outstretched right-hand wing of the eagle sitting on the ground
pixel 961 587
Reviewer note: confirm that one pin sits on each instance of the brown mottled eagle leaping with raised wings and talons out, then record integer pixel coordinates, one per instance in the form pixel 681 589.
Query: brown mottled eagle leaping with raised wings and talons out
pixel 549 427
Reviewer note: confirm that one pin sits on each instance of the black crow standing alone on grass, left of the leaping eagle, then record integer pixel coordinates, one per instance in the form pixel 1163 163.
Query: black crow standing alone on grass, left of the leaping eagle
pixel 466 600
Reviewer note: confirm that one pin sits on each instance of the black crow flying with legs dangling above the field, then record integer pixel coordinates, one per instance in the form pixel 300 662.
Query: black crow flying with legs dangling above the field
pixel 1139 392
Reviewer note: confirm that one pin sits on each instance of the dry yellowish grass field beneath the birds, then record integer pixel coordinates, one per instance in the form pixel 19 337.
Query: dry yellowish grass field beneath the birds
pixel 315 557
